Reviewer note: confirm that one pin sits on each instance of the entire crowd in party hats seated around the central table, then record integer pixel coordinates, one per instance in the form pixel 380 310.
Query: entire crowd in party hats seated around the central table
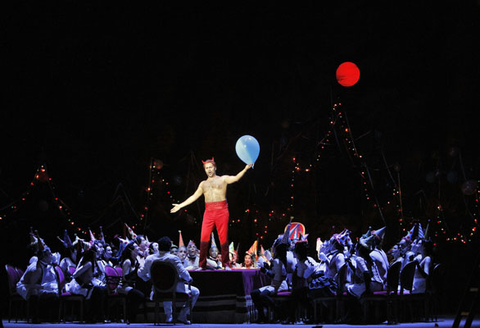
pixel 291 264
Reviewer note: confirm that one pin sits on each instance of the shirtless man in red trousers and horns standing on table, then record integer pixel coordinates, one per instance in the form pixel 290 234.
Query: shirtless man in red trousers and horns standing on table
pixel 214 189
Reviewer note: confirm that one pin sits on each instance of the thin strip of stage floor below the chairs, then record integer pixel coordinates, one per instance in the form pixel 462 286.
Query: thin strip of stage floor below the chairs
pixel 441 323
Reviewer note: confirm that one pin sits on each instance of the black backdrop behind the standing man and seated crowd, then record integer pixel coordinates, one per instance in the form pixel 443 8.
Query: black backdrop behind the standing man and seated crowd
pixel 96 91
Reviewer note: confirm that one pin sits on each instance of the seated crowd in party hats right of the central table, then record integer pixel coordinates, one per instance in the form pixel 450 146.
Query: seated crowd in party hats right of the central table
pixel 363 265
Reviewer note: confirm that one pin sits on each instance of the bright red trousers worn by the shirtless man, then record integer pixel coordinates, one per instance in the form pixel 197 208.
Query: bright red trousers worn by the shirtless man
pixel 216 215
